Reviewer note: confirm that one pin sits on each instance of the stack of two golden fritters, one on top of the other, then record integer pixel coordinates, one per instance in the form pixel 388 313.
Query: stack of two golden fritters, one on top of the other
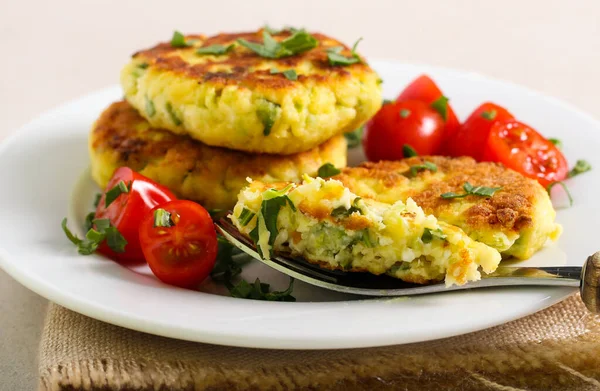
pixel 202 123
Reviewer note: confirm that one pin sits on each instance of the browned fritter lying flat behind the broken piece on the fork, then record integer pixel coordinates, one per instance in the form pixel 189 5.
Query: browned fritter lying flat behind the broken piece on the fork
pixel 516 220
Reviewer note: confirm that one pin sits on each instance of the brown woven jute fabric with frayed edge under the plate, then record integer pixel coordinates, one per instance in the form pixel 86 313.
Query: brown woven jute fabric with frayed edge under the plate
pixel 555 349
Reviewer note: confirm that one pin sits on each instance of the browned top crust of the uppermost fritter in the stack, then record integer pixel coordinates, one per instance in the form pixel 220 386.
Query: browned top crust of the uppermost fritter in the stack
pixel 240 62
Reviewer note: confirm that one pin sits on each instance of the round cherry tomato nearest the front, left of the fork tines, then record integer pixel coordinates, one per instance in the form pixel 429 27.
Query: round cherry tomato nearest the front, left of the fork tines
pixel 184 253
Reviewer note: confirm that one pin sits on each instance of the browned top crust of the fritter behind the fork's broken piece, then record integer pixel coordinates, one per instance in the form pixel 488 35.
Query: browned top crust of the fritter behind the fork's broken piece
pixel 510 208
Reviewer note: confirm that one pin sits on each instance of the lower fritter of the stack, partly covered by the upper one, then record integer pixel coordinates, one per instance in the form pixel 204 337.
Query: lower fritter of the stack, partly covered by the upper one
pixel 209 175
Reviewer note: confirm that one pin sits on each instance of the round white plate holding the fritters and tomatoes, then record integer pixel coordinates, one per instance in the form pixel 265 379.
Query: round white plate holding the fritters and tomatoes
pixel 44 178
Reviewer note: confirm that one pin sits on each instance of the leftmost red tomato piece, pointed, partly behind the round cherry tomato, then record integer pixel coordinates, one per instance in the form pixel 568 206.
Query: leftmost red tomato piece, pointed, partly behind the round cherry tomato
pixel 128 209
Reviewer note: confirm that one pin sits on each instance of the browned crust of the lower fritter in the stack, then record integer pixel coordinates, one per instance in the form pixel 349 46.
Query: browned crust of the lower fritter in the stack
pixel 121 130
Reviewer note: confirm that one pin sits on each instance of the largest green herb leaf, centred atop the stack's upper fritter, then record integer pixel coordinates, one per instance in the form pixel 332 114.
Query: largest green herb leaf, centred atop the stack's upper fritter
pixel 299 42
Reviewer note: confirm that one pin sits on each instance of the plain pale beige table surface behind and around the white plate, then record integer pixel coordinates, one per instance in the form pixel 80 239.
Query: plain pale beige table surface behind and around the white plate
pixel 54 51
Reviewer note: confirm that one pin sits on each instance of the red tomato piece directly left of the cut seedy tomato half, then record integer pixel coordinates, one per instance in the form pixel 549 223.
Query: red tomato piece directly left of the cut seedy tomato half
pixel 471 137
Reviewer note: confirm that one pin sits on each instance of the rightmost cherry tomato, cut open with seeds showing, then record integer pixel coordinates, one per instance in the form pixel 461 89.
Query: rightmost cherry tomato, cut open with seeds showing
pixel 521 148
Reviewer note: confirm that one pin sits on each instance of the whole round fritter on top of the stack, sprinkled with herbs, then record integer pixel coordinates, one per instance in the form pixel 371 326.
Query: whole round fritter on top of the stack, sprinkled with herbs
pixel 243 101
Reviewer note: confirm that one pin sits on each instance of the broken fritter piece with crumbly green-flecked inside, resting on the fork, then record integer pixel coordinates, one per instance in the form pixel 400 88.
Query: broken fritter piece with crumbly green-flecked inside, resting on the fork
pixel 326 224
